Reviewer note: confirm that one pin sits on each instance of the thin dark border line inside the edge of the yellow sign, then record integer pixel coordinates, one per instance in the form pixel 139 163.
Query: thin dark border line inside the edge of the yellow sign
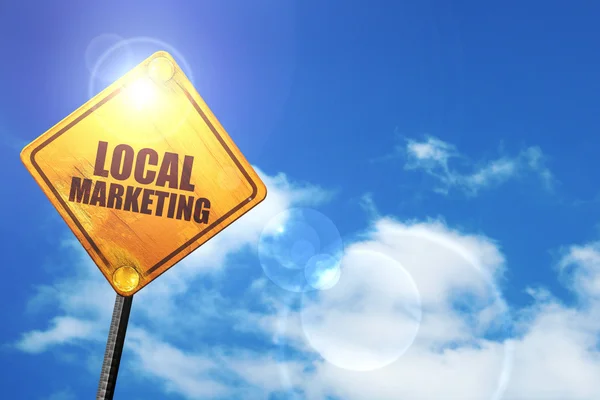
pixel 181 248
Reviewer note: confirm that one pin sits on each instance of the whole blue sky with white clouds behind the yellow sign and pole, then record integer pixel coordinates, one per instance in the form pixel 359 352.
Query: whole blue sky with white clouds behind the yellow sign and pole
pixel 452 145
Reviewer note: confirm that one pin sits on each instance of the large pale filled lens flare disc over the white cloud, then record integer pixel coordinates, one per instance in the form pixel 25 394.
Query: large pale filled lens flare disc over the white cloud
pixel 369 319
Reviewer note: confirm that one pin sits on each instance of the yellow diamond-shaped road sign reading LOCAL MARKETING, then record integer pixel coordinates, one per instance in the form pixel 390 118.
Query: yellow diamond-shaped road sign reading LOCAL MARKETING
pixel 143 174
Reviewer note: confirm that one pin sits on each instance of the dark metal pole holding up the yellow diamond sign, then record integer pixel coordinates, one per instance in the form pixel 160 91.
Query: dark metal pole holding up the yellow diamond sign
pixel 114 348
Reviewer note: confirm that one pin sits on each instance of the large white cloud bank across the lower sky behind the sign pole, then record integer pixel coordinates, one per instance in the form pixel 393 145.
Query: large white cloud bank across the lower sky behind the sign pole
pixel 459 350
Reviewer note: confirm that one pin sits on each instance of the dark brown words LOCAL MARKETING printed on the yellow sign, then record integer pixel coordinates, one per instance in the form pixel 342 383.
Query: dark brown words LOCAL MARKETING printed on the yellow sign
pixel 125 163
